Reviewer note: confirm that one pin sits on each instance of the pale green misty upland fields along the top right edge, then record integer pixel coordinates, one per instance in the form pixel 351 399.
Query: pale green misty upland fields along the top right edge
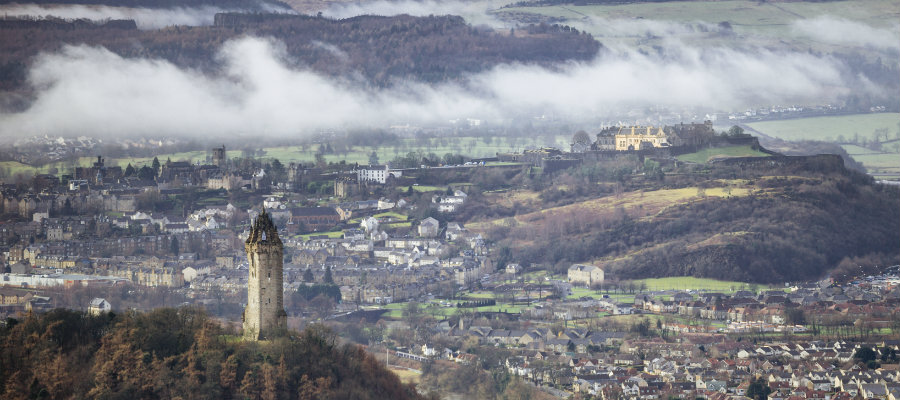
pixel 753 22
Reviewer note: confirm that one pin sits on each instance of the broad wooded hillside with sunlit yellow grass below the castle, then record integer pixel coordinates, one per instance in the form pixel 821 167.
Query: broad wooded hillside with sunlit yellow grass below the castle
pixel 765 220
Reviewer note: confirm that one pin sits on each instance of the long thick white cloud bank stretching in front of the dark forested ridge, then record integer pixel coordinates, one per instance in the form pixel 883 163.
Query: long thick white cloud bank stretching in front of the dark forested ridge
pixel 87 90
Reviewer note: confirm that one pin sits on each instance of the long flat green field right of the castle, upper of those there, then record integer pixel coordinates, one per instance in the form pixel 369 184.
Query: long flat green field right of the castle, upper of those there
pixel 831 129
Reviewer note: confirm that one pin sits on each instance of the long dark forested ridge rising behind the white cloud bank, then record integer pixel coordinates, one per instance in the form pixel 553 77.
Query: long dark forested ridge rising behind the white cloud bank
pixel 382 50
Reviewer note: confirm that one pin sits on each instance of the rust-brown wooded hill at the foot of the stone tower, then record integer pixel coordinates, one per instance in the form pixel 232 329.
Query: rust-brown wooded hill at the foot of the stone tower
pixel 179 353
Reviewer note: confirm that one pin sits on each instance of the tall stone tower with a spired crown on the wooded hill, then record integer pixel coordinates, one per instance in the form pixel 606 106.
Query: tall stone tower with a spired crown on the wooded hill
pixel 264 316
